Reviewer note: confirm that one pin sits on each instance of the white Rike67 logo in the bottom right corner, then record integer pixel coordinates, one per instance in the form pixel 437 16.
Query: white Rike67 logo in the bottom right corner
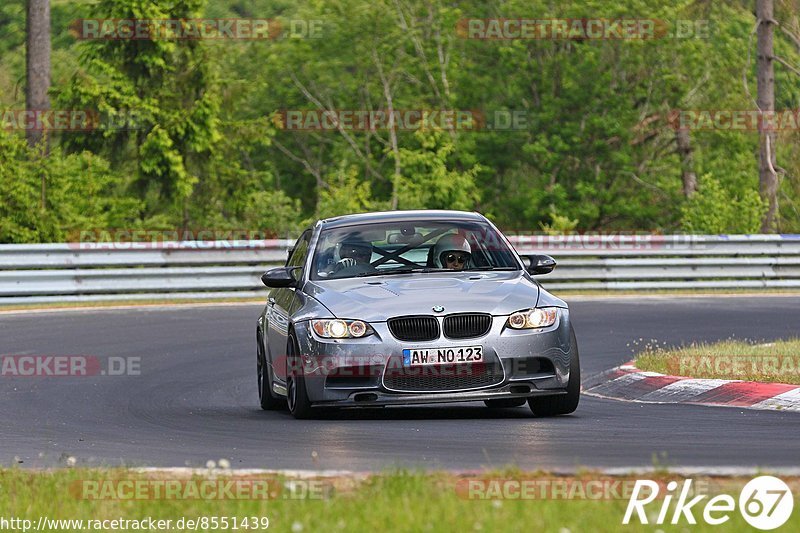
pixel 765 503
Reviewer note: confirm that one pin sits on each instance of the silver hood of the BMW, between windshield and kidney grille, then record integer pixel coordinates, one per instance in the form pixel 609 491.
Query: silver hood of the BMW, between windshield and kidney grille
pixel 377 298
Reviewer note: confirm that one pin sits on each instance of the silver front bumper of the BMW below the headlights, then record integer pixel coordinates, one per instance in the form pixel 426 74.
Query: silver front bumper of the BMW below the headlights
pixel 352 372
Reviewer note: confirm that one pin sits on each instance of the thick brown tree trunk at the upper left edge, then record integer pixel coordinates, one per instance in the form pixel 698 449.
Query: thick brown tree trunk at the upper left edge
pixel 37 63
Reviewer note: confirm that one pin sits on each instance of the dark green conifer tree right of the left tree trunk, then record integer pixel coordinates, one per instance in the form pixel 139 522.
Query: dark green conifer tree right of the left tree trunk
pixel 166 89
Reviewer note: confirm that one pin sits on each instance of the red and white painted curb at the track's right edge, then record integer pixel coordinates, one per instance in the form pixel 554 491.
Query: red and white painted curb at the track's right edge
pixel 627 382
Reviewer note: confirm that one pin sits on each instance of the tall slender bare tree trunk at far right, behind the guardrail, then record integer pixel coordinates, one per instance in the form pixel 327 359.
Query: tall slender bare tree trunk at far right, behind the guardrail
pixel 767 177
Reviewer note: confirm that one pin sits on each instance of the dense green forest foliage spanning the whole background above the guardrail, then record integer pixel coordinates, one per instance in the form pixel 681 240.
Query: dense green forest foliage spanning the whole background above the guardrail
pixel 594 150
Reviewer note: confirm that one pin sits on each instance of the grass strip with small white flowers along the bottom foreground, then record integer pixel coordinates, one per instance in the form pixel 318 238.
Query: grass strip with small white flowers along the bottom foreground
pixel 395 501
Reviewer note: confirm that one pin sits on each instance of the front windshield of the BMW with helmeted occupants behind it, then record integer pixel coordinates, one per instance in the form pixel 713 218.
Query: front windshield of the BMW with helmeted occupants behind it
pixel 408 247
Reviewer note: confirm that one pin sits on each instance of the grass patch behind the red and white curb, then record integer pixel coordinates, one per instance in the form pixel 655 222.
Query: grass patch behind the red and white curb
pixel 777 361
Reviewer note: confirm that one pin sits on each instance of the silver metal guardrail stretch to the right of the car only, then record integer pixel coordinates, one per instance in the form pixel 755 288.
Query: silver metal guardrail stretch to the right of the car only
pixel 647 262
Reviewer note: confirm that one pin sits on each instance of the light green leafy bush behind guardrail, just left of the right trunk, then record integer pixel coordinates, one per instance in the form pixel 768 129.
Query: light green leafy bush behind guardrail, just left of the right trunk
pixel 715 209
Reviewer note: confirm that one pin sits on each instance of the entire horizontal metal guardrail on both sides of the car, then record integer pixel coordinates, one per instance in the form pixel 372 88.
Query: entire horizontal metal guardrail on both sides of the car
pixel 222 269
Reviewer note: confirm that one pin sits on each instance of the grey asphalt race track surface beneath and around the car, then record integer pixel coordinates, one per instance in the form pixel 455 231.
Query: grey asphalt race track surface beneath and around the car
pixel 196 399
